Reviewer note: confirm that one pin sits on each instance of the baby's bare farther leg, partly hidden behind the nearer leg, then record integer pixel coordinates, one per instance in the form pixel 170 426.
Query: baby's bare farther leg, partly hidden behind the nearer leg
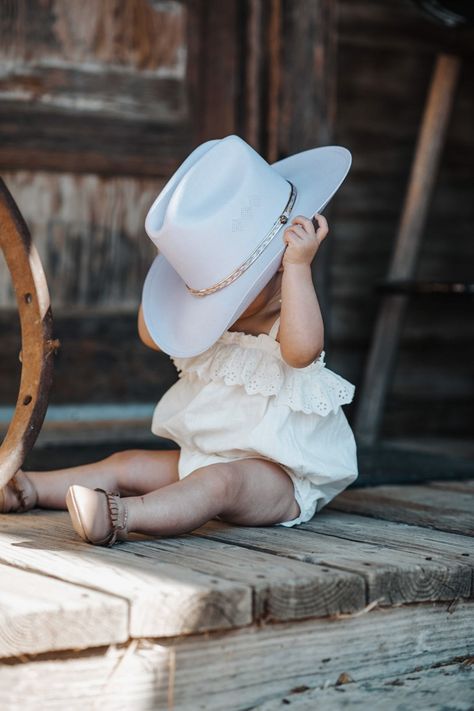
pixel 132 472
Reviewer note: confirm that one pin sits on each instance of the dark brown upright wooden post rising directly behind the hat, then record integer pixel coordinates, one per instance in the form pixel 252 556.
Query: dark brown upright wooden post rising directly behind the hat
pixel 290 90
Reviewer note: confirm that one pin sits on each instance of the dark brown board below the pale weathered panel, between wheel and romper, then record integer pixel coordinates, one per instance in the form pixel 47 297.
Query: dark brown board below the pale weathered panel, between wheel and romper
pixel 101 360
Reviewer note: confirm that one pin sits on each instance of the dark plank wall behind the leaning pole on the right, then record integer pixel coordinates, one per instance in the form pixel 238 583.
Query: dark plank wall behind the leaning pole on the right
pixel 386 54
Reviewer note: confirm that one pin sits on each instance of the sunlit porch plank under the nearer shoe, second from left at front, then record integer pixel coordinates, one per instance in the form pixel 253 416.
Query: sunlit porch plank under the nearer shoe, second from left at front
pixel 164 599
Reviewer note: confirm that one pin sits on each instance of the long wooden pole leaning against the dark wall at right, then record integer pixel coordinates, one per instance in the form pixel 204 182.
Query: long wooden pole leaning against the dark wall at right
pixel 388 327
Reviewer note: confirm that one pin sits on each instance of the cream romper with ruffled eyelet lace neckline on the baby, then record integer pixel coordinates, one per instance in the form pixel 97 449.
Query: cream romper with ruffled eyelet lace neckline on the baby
pixel 240 399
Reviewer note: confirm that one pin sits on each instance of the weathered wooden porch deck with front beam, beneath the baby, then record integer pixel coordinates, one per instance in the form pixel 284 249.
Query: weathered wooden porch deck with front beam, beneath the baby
pixel 373 594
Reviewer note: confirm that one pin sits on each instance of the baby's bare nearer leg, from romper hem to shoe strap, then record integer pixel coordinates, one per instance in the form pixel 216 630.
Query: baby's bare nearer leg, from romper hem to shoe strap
pixel 253 492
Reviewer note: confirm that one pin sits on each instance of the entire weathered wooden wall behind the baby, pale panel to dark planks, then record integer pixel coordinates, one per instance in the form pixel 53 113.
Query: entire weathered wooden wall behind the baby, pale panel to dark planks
pixel 99 102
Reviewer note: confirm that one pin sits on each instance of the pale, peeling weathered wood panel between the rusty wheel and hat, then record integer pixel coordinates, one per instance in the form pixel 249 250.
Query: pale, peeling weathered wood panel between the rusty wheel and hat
pixel 89 233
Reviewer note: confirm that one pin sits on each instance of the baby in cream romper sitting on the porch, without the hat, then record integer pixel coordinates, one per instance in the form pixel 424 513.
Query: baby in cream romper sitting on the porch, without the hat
pixel 266 458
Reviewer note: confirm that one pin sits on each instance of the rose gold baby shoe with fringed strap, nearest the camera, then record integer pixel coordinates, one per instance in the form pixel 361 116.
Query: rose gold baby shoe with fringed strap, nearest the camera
pixel 99 520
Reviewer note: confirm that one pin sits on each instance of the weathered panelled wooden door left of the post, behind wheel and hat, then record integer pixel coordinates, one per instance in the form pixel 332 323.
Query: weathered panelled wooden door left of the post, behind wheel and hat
pixel 99 104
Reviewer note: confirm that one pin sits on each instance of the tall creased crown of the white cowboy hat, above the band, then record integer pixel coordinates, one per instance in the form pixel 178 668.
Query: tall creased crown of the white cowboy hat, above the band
pixel 211 215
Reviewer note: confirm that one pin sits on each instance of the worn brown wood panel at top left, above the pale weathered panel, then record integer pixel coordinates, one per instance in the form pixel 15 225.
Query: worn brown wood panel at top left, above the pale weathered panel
pixel 98 88
